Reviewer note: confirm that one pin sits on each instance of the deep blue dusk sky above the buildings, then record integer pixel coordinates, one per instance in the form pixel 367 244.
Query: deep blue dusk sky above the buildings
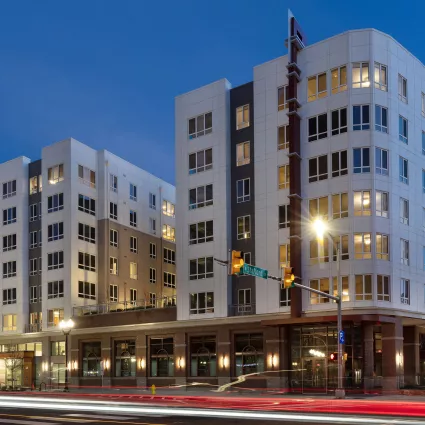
pixel 106 72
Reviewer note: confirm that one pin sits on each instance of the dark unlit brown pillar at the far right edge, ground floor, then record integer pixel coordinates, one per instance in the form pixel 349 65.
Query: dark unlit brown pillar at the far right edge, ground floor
pixel 411 359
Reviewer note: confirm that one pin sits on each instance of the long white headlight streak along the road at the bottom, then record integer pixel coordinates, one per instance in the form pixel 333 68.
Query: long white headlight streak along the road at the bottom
pixel 187 412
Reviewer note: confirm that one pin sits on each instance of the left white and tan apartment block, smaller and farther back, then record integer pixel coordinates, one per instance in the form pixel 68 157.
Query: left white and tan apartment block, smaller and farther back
pixel 84 233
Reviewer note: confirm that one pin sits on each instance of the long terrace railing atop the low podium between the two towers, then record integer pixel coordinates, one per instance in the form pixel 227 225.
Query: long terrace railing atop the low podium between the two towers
pixel 122 306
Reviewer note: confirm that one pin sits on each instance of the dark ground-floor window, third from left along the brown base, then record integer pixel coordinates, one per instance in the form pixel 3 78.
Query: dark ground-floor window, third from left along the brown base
pixel 161 356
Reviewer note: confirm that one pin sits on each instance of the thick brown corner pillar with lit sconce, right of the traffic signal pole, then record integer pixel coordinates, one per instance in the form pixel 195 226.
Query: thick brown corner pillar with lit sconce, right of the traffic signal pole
pixel 392 355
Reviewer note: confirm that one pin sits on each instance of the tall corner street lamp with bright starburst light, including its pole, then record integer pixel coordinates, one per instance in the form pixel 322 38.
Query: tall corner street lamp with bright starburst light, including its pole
pixel 320 229
